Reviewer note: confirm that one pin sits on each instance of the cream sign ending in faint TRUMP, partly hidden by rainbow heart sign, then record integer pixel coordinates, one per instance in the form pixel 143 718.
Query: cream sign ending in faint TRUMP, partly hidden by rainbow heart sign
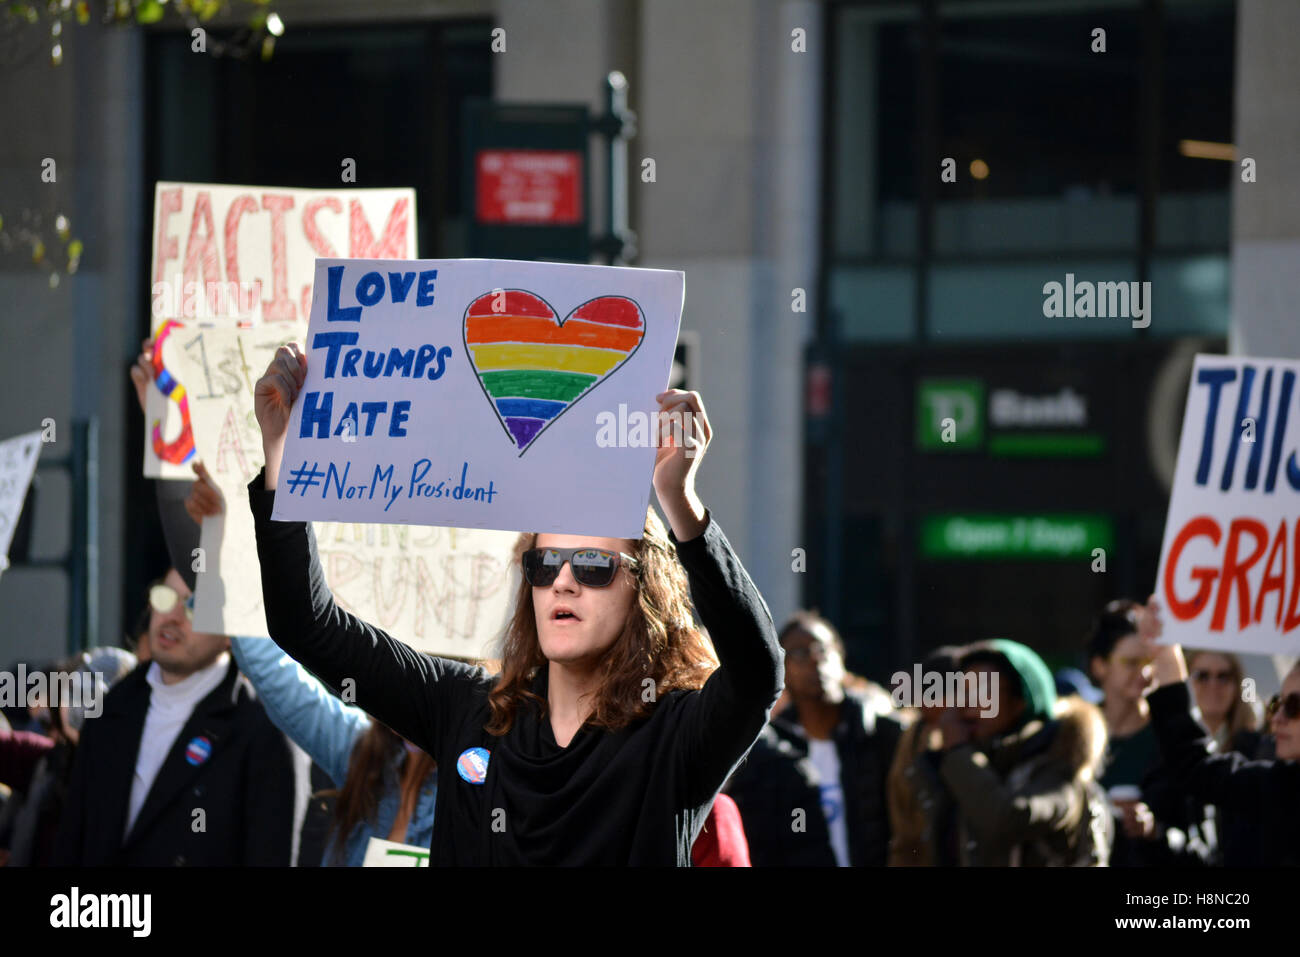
pixel 443 591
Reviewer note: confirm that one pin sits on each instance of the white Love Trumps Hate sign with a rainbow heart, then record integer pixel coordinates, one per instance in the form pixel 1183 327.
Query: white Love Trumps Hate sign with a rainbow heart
pixel 482 395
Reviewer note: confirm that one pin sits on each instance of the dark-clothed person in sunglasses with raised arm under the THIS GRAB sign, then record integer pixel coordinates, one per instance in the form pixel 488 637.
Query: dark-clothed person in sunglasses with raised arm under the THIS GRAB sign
pixel 1259 798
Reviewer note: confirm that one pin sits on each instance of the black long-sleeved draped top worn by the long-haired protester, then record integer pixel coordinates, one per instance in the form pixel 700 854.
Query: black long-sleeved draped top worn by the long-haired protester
pixel 635 796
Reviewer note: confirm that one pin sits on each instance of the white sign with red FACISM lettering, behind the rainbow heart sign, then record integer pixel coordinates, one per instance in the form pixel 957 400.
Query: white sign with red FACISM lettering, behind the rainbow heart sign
pixel 246 253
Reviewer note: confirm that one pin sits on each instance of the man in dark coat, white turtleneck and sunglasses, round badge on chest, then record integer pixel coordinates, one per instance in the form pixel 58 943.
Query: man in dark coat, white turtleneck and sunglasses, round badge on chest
pixel 183 768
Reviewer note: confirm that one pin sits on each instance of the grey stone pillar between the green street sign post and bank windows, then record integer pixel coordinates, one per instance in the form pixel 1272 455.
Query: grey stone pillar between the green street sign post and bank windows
pixel 731 116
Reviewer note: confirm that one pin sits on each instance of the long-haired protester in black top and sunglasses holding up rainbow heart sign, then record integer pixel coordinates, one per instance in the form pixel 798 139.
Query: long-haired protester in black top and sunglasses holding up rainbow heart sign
pixel 612 728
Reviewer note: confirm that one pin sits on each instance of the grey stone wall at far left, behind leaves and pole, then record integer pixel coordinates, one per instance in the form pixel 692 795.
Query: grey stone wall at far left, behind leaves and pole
pixel 64 352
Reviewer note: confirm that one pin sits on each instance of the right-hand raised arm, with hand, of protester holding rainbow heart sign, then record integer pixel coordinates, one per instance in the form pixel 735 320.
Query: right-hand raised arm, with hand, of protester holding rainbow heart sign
pixel 726 717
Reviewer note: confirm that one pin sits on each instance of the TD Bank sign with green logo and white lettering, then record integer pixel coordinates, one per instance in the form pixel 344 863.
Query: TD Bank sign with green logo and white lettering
pixel 963 415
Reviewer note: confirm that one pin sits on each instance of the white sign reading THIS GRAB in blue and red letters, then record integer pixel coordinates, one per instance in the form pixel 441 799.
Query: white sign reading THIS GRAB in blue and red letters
pixel 1230 564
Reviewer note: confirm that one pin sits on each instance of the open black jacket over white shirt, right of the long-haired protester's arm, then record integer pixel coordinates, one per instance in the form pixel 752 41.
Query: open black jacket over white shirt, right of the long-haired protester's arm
pixel 778 780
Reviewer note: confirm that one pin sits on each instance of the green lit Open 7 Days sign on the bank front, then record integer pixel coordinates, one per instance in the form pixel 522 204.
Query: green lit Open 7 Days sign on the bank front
pixel 1026 538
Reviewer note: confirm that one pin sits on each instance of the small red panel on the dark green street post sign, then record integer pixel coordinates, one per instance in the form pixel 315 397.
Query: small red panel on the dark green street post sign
pixel 530 187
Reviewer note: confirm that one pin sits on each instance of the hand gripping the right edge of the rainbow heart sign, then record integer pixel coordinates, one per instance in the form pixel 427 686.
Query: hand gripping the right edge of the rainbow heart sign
pixel 684 436
